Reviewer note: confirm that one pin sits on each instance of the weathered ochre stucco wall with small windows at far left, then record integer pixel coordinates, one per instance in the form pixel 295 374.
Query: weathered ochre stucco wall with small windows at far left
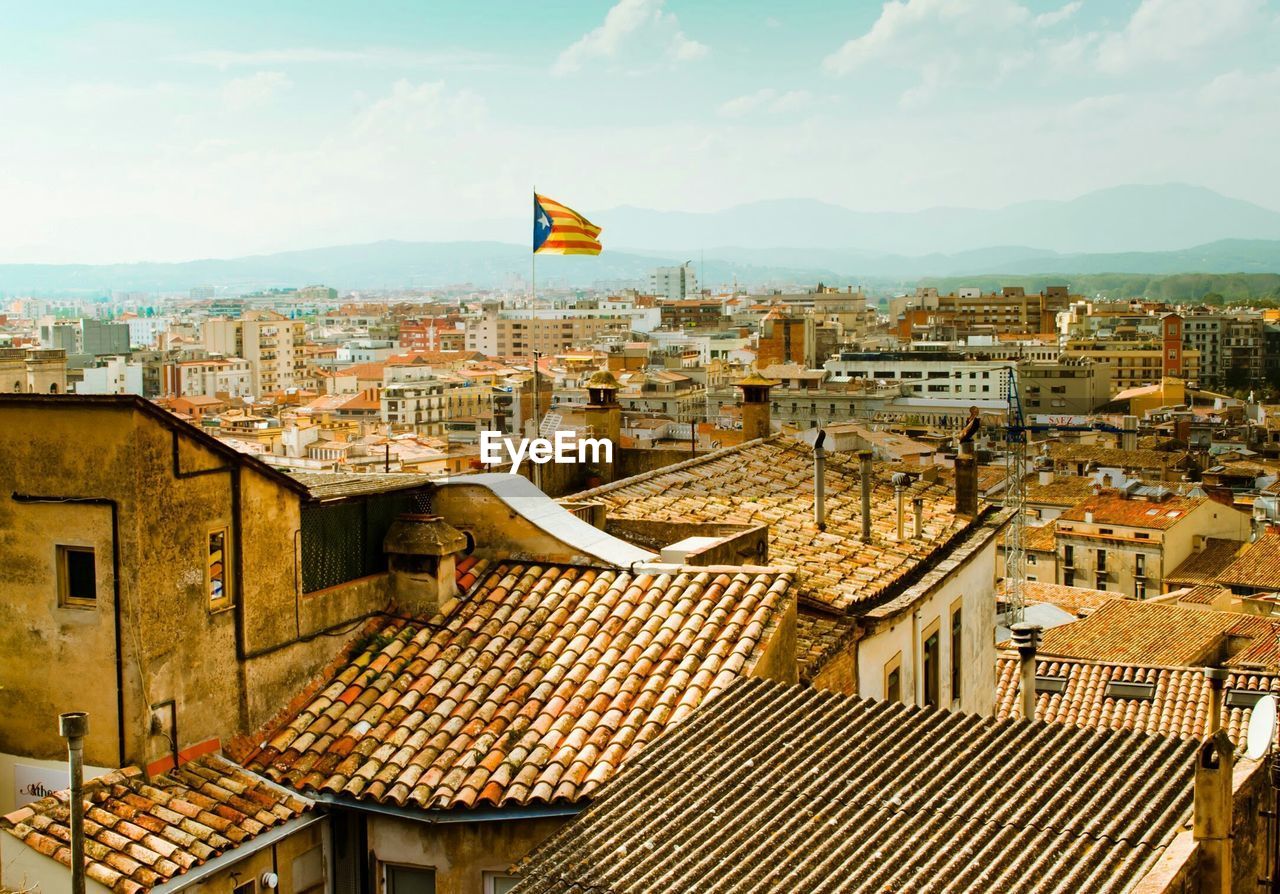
pixel 228 665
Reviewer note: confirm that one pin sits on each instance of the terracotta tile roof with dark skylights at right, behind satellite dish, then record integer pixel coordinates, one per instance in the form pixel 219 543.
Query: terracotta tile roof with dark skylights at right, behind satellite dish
pixel 1178 705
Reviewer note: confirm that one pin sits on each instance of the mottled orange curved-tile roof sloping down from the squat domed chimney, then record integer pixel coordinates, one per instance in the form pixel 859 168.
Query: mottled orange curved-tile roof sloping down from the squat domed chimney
pixel 534 690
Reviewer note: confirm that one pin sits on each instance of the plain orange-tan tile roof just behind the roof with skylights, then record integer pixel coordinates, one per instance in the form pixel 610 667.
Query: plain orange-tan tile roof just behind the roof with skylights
pixel 1148 633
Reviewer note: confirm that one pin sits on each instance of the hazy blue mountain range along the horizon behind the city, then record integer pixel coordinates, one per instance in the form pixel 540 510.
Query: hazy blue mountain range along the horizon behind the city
pixel 1151 223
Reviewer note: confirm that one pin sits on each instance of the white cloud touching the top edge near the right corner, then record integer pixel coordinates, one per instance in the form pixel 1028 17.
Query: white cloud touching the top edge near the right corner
pixel 1163 31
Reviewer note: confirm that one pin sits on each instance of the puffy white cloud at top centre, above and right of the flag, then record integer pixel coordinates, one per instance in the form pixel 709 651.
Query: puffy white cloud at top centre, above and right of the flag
pixel 633 33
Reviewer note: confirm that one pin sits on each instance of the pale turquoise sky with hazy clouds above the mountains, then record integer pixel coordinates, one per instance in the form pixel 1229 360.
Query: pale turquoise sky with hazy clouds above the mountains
pixel 172 131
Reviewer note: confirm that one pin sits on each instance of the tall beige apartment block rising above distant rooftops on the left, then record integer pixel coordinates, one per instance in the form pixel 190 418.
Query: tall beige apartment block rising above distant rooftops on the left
pixel 271 343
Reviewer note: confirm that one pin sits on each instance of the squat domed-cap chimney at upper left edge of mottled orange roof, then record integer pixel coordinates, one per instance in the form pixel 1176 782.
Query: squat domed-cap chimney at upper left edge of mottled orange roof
pixel 422 553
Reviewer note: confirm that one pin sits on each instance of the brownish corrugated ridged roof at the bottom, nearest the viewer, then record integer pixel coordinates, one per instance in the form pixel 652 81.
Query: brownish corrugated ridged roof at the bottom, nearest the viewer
pixel 775 788
